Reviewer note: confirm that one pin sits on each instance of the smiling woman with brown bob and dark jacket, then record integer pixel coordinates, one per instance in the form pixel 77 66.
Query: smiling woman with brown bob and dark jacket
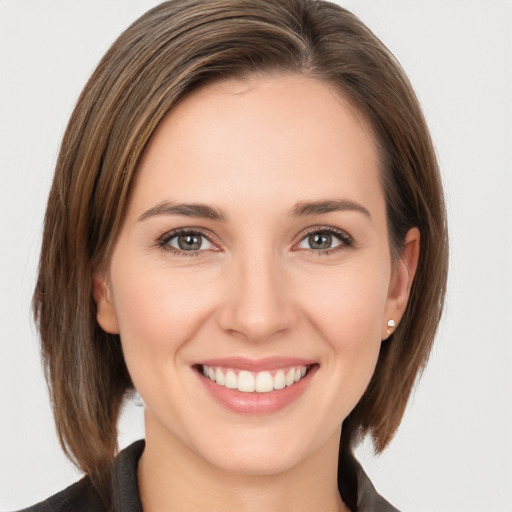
pixel 246 225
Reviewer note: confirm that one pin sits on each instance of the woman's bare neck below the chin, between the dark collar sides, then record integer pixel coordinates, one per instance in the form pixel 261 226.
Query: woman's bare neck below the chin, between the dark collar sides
pixel 173 477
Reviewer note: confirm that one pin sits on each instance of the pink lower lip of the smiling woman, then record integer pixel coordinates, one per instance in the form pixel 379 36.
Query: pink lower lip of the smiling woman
pixel 257 403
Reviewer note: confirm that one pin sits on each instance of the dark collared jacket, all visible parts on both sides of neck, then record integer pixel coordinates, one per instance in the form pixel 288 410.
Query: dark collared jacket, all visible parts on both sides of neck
pixel 82 497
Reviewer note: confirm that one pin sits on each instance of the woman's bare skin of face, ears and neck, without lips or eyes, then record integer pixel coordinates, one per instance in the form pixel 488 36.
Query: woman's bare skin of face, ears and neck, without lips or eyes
pixel 253 150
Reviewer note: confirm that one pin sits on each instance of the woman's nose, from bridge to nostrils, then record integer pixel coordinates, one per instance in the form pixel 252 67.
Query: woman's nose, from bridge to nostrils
pixel 256 304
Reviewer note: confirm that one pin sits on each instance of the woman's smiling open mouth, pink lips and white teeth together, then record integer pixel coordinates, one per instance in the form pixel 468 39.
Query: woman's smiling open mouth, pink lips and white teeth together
pixel 252 388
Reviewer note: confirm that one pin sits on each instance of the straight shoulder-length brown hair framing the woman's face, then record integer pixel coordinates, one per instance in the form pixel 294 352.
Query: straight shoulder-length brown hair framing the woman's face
pixel 170 51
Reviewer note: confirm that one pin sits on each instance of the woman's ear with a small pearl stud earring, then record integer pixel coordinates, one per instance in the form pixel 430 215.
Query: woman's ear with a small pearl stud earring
pixel 400 284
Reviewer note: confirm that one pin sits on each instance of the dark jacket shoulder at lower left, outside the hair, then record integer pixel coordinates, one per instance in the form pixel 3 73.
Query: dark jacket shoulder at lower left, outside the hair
pixel 79 497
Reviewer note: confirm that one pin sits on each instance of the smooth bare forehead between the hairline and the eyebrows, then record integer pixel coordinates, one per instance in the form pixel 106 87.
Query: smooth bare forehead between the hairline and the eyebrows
pixel 272 137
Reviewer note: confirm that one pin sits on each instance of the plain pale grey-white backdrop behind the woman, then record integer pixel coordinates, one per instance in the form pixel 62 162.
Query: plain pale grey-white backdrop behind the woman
pixel 453 451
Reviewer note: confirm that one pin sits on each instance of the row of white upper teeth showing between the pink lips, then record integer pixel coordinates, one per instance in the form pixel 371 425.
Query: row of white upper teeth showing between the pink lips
pixel 249 382
